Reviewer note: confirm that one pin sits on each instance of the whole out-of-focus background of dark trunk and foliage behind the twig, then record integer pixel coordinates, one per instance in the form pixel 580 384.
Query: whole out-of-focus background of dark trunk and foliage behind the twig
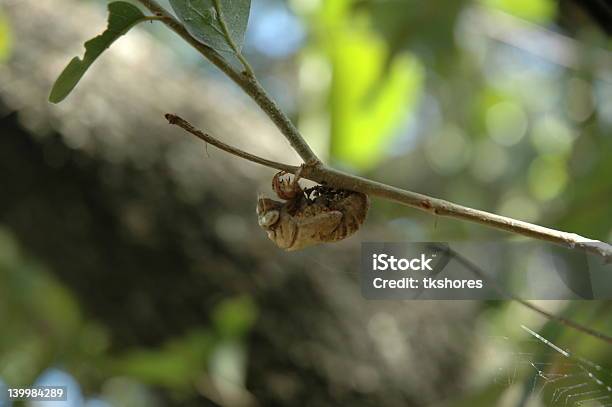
pixel 132 268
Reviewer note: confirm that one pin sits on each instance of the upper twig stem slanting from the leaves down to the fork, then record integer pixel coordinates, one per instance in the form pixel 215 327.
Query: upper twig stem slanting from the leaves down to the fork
pixel 248 83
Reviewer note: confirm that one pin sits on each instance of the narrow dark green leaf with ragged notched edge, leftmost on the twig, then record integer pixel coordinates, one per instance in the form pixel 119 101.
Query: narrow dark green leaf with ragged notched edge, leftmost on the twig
pixel 122 16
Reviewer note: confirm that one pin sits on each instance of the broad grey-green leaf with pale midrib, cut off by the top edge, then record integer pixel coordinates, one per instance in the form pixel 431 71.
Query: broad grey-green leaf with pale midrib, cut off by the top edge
pixel 208 21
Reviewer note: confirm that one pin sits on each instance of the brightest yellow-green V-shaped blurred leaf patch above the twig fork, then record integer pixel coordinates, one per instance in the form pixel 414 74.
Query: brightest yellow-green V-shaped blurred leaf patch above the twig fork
pixel 366 103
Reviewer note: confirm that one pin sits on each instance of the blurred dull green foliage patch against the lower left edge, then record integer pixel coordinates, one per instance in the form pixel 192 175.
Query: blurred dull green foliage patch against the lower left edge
pixel 41 319
